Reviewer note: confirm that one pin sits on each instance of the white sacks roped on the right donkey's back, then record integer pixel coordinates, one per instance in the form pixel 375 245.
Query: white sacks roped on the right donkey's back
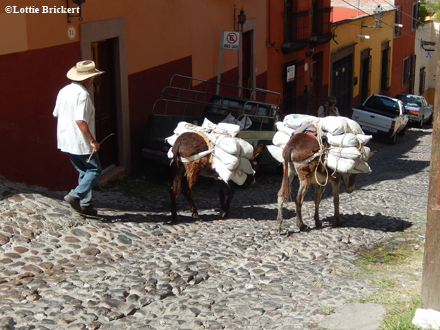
pixel 346 151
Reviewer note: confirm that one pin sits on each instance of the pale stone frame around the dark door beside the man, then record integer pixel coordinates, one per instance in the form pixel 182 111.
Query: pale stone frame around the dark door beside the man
pixel 113 29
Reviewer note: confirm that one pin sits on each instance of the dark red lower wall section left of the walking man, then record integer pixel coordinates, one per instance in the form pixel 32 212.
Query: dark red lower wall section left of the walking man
pixel 28 133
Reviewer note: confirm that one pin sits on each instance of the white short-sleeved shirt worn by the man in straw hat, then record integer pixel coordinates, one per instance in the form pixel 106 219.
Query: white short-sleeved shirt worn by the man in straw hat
pixel 74 103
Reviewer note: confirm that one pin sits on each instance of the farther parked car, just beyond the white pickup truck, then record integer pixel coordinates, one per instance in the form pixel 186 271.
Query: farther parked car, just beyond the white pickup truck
pixel 420 112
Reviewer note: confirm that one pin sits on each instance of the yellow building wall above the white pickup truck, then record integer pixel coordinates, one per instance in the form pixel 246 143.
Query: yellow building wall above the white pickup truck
pixel 346 35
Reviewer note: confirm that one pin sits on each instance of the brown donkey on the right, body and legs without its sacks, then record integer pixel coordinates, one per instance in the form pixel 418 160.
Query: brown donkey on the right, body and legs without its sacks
pixel 301 154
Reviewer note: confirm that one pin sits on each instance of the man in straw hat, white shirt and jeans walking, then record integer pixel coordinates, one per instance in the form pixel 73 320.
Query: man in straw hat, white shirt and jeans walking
pixel 76 133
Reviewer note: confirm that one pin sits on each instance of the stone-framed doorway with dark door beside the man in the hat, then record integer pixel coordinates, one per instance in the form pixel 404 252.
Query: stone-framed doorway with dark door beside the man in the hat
pixel 109 37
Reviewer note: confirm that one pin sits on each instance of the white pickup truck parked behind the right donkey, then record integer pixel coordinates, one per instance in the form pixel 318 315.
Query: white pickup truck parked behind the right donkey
pixel 382 115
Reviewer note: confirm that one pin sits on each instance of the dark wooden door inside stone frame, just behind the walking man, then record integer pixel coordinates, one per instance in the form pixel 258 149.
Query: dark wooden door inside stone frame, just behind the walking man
pixel 105 103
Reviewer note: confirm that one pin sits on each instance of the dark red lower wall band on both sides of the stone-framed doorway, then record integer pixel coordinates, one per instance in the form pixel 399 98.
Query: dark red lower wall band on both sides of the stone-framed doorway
pixel 38 161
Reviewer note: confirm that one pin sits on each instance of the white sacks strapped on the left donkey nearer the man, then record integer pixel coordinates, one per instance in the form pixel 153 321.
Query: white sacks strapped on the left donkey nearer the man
pixel 230 154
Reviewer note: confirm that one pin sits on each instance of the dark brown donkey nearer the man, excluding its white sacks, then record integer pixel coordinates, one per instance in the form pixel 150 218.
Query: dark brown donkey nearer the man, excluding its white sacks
pixel 187 145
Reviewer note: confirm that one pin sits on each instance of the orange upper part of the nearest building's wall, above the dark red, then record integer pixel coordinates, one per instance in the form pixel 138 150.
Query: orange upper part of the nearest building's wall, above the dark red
pixel 157 32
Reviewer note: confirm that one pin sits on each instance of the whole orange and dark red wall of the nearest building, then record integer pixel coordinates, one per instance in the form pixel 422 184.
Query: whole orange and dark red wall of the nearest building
pixel 162 38
